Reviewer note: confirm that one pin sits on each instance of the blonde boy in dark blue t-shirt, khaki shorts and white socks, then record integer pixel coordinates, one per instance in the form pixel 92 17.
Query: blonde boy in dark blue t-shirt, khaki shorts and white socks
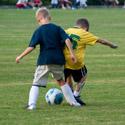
pixel 51 38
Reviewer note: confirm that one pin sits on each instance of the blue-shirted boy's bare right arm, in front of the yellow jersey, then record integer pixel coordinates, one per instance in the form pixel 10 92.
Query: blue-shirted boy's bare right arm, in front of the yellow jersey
pixel 69 45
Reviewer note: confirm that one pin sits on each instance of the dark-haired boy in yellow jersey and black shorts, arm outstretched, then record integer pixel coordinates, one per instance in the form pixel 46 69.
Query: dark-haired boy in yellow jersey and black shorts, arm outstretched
pixel 80 39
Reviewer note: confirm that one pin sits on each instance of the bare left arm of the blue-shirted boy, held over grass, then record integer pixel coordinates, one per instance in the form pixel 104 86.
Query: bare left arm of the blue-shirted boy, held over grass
pixel 24 53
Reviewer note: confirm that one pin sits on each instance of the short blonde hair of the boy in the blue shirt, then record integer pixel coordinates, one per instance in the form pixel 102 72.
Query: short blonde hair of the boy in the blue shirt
pixel 43 11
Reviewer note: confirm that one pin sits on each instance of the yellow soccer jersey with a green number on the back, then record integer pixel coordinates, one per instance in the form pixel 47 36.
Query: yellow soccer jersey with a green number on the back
pixel 80 38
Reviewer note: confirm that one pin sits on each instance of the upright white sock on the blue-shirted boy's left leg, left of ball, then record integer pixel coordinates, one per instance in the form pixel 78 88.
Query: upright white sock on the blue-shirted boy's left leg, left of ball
pixel 33 95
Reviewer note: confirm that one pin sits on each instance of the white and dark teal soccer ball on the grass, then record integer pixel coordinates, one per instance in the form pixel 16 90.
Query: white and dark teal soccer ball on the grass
pixel 54 96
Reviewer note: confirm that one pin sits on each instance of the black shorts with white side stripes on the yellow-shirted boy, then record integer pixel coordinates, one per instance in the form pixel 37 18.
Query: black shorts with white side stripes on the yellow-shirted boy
pixel 76 74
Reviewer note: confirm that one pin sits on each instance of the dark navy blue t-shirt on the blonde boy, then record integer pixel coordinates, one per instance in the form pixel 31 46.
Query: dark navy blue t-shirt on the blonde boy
pixel 51 39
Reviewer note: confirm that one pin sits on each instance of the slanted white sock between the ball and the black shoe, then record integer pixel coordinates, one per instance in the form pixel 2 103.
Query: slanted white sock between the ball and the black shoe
pixel 67 92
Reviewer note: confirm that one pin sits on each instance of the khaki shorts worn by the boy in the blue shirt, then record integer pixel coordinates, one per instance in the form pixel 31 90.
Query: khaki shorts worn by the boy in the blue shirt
pixel 42 73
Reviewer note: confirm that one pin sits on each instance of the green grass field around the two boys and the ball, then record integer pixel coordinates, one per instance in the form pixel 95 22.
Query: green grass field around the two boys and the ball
pixel 104 91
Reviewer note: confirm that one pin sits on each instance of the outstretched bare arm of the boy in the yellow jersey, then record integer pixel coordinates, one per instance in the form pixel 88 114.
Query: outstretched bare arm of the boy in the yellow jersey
pixel 107 43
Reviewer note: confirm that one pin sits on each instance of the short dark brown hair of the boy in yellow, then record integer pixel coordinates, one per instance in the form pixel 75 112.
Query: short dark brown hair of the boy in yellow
pixel 82 22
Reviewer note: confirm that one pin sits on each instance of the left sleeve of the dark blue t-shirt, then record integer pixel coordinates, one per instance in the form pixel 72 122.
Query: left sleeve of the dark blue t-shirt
pixel 35 39
